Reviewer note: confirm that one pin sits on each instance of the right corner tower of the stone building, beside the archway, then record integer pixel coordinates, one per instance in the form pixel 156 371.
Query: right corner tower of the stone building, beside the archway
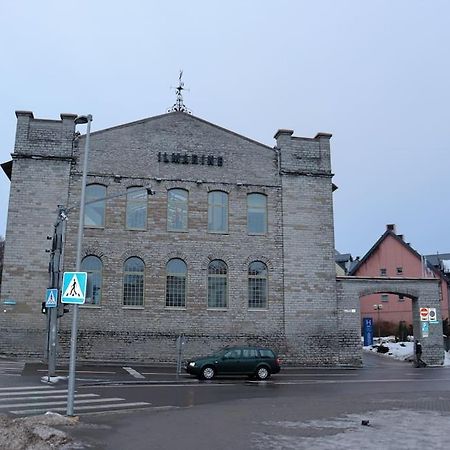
pixel 311 325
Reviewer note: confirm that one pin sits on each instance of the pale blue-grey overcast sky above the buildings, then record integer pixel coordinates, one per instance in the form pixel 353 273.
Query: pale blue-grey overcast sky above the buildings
pixel 375 74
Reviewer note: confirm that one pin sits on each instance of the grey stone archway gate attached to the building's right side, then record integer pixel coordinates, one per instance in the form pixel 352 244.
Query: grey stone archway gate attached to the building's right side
pixel 424 293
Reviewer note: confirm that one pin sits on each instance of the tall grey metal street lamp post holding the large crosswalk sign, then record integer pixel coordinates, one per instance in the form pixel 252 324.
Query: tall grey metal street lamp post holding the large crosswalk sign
pixel 73 338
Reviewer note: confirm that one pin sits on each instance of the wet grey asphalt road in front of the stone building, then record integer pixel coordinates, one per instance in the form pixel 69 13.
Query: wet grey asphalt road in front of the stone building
pixel 298 408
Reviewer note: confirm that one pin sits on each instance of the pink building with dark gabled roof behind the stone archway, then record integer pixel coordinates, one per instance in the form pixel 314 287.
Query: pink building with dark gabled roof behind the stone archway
pixel 391 257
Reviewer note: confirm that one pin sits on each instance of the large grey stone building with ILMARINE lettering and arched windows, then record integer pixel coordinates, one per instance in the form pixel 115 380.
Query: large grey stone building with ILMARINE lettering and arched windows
pixel 189 229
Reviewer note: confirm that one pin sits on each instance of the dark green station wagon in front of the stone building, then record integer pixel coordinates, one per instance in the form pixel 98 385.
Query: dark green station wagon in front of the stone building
pixel 251 361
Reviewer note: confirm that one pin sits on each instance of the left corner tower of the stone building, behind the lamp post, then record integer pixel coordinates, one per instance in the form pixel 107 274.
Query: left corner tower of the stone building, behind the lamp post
pixel 39 179
